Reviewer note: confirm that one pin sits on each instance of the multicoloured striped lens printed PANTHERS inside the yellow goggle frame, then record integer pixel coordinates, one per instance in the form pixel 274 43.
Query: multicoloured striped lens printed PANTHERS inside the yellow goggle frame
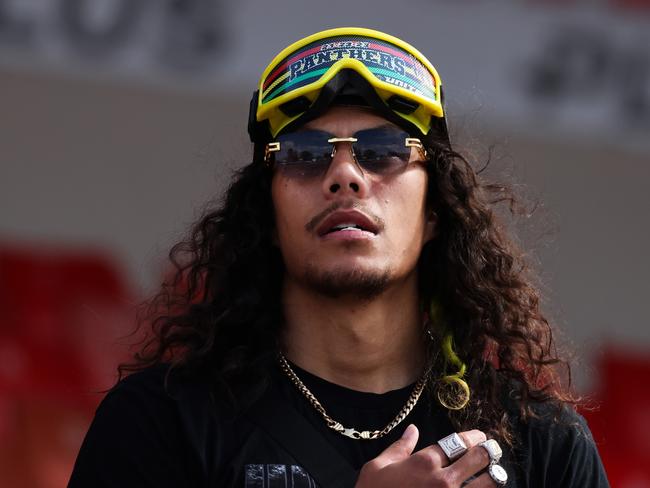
pixel 386 61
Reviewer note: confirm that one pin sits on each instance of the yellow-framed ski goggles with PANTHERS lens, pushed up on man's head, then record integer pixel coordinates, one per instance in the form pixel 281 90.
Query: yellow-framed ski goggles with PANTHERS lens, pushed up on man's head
pixel 406 83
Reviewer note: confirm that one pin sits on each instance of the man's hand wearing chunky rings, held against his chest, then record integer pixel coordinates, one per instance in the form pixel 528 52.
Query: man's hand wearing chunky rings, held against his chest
pixel 397 466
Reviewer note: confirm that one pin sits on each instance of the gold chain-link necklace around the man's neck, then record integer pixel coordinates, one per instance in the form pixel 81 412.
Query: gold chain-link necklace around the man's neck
pixel 352 432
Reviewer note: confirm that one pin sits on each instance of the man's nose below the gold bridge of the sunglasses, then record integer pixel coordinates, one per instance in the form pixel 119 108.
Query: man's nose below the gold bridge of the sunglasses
pixel 344 174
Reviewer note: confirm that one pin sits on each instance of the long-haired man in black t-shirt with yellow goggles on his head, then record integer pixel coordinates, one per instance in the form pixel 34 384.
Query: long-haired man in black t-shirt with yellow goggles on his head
pixel 353 314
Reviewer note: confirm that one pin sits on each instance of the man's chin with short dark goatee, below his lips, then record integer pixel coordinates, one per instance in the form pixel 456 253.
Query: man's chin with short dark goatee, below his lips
pixel 355 283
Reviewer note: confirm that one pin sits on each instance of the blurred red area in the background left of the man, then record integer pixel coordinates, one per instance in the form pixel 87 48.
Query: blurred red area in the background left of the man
pixel 63 313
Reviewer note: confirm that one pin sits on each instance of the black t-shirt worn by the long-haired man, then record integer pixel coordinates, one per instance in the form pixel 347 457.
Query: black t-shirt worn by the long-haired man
pixel 148 434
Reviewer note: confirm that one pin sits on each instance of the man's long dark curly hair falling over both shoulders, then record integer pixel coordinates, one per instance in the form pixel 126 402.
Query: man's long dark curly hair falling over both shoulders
pixel 219 313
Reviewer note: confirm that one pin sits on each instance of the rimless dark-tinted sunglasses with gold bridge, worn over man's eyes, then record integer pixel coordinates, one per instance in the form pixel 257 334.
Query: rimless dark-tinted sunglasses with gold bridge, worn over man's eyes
pixel 378 151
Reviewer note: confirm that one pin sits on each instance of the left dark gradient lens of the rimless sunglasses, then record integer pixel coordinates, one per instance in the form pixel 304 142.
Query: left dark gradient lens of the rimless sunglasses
pixel 304 153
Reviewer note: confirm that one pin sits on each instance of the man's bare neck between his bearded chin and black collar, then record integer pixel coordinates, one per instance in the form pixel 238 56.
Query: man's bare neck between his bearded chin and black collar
pixel 372 345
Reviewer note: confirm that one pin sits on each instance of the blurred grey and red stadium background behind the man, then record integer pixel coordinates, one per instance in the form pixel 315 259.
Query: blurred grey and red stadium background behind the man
pixel 120 119
